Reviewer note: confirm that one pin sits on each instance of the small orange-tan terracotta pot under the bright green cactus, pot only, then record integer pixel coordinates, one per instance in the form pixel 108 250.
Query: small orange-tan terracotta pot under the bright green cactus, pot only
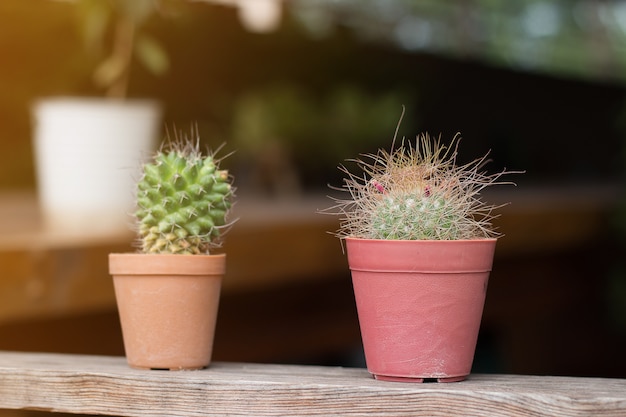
pixel 168 307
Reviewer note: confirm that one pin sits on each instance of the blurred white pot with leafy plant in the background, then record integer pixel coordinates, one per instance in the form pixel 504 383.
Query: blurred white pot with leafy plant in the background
pixel 102 138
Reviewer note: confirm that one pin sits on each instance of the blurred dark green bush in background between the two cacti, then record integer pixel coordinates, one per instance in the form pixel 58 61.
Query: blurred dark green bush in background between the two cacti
pixel 314 132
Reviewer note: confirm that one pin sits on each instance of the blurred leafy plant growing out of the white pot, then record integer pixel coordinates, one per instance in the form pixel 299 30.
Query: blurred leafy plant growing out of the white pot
pixel 119 25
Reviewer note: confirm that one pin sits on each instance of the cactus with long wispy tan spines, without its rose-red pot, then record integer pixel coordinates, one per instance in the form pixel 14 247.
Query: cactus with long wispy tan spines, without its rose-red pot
pixel 416 192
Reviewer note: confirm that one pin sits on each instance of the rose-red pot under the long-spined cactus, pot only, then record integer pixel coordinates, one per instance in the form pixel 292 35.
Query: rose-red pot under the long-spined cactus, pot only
pixel 420 305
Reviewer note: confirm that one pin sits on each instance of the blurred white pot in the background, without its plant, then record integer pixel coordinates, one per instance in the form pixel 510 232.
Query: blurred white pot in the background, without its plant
pixel 88 153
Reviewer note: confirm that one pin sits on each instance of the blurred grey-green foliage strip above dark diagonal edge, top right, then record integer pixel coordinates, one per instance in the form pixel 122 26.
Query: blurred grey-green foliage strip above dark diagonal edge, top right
pixel 574 38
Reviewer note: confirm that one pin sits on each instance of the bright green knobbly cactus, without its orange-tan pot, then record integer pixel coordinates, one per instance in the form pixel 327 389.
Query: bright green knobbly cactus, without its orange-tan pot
pixel 183 199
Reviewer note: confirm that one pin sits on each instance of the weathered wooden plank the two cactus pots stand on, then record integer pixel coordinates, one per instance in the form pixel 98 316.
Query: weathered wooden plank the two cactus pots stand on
pixel 106 385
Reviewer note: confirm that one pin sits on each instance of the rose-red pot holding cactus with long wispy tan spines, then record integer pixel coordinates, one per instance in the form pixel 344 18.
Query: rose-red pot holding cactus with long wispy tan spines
pixel 420 247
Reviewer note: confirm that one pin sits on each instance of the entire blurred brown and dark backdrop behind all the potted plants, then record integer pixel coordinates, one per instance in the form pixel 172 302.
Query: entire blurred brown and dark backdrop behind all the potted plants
pixel 298 86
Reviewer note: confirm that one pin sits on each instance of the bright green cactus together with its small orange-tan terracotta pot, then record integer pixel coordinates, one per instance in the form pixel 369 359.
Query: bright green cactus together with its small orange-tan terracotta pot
pixel 168 293
